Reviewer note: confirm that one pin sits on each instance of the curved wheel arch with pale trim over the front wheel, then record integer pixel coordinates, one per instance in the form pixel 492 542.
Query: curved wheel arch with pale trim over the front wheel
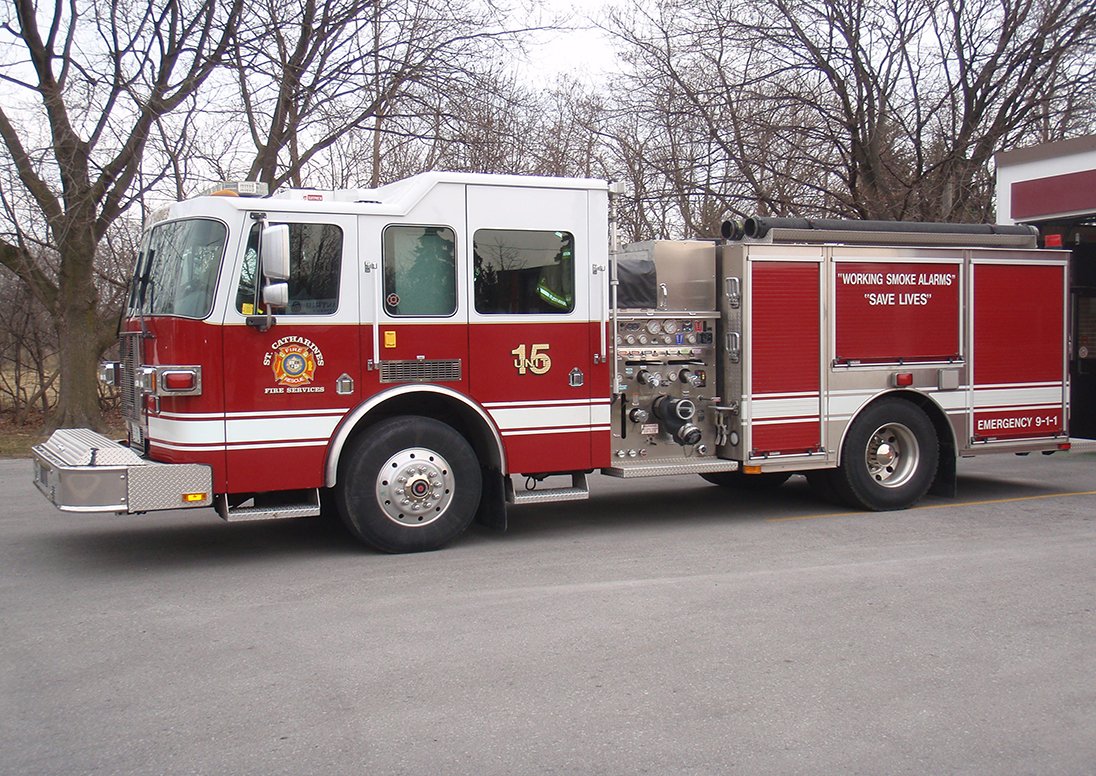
pixel 446 405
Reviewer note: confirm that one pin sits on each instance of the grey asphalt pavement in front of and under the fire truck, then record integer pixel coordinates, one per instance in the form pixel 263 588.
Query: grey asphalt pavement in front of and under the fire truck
pixel 663 627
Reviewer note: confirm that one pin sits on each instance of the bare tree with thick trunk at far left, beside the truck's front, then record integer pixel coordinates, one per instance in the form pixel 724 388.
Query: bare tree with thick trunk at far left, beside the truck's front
pixel 98 76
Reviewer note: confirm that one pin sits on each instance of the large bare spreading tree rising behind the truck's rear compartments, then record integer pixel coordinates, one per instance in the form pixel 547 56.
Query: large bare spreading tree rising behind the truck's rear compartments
pixel 849 108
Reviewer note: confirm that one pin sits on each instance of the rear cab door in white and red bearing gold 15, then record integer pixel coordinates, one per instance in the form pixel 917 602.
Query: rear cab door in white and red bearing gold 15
pixel 532 339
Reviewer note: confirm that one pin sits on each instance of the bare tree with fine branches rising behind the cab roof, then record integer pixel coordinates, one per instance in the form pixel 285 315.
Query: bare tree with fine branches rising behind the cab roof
pixel 317 76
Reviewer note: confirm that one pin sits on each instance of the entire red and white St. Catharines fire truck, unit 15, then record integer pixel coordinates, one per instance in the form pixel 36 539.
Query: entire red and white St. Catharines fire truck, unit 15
pixel 402 356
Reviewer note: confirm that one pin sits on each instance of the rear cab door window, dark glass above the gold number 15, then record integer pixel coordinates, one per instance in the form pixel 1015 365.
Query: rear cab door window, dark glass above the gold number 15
pixel 523 272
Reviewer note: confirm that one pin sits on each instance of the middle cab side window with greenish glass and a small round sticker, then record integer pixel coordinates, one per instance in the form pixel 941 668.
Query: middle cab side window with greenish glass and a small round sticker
pixel 420 271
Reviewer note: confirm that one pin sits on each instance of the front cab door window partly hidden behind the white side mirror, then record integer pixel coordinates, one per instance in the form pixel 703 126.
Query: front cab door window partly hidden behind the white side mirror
pixel 315 268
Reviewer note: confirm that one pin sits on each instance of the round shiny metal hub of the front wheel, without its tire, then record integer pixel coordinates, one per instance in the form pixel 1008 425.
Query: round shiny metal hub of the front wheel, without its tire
pixel 415 487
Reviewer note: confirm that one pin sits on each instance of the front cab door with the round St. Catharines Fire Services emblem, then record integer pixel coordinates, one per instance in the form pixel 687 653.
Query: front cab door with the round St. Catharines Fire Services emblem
pixel 288 389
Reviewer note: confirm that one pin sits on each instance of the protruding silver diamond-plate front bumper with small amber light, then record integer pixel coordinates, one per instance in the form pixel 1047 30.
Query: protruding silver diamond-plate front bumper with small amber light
pixel 82 471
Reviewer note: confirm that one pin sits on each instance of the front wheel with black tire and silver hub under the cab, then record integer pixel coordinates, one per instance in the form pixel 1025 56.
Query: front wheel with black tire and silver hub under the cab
pixel 408 485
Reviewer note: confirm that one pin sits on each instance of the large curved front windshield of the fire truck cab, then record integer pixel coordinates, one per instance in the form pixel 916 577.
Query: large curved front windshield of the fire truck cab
pixel 177 270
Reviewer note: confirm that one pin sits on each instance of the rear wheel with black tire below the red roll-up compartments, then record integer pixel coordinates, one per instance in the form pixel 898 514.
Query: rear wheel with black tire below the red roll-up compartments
pixel 889 458
